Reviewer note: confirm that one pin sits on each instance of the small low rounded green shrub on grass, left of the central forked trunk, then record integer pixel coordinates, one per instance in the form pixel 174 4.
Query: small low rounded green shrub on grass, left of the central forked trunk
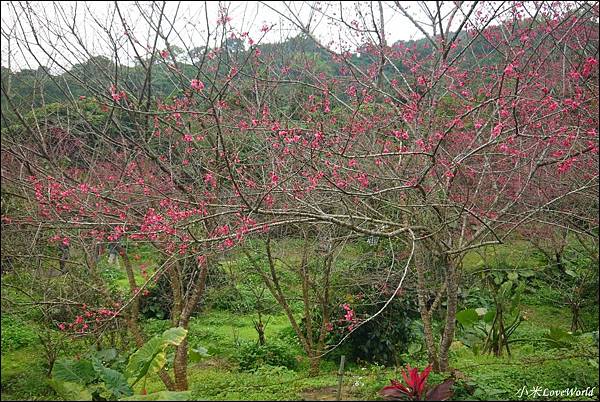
pixel 252 355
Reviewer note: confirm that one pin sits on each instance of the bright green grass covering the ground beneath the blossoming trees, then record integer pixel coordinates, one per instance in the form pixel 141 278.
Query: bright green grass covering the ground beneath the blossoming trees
pixel 533 362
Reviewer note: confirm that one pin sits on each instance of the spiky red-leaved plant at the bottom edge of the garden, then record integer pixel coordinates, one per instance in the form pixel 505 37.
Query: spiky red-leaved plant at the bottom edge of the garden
pixel 415 387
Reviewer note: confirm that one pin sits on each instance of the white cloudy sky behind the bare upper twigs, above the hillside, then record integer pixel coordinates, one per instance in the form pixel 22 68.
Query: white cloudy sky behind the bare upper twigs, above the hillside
pixel 71 31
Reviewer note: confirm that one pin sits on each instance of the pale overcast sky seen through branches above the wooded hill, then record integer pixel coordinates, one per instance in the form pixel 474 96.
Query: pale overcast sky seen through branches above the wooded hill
pixel 192 20
